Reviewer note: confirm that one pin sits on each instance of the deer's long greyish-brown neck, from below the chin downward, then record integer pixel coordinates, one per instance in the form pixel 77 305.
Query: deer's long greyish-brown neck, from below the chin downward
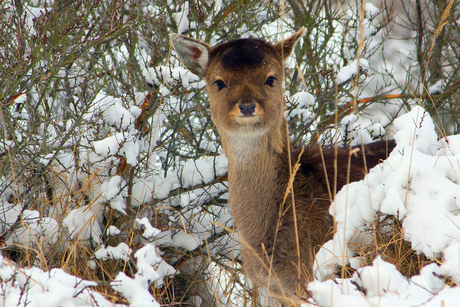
pixel 254 184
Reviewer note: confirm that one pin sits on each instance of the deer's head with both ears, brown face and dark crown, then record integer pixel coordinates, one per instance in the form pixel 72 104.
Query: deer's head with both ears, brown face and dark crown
pixel 244 81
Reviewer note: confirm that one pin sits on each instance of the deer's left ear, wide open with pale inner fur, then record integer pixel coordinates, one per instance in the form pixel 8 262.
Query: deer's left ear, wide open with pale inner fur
pixel 193 53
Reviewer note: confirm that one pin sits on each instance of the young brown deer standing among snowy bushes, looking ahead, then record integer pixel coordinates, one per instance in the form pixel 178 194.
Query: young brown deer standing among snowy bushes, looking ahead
pixel 280 233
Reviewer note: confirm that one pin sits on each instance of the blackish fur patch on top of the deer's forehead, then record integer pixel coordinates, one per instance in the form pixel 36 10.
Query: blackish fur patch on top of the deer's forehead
pixel 242 53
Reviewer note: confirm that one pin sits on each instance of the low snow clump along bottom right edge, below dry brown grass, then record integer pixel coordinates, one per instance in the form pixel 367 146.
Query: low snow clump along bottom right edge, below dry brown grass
pixel 380 284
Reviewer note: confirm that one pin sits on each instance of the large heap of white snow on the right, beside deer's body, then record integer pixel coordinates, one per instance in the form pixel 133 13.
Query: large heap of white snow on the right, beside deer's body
pixel 419 185
